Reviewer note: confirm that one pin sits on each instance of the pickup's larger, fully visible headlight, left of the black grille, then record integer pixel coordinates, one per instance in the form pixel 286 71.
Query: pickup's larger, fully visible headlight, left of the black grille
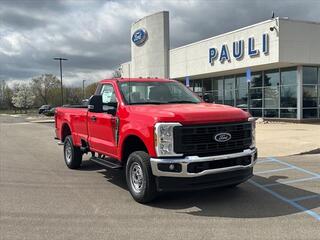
pixel 163 139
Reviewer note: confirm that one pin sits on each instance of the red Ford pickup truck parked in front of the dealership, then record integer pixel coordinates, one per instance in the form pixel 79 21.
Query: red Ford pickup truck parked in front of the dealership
pixel 163 135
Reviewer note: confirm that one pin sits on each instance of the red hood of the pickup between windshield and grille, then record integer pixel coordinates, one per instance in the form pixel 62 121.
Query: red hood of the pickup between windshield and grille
pixel 191 113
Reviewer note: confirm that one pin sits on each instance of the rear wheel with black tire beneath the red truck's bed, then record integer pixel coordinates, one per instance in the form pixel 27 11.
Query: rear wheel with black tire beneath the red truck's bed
pixel 72 154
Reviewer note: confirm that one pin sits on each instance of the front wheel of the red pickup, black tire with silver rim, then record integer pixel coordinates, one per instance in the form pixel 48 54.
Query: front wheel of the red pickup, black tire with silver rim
pixel 142 190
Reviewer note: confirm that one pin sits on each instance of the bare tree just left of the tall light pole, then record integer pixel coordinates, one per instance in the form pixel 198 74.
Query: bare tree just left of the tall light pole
pixel 42 86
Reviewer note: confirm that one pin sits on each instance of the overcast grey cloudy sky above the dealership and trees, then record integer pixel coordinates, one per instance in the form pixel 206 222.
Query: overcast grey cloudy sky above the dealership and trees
pixel 95 35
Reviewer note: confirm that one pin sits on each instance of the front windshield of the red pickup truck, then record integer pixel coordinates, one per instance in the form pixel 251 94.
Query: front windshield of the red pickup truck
pixel 156 93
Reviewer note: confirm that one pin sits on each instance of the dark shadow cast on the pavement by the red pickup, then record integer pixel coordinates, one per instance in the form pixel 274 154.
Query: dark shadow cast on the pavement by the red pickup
pixel 243 201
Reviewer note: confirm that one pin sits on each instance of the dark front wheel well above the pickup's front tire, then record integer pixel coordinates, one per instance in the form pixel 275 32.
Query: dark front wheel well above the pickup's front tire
pixel 130 145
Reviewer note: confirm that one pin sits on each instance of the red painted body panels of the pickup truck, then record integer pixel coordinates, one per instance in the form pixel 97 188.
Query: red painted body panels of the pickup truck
pixel 137 120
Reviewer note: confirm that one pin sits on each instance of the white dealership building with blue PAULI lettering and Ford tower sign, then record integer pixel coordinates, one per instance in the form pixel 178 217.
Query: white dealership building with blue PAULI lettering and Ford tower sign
pixel 271 68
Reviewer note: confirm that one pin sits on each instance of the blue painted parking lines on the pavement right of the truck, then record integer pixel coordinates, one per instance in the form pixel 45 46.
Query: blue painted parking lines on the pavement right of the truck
pixel 294 202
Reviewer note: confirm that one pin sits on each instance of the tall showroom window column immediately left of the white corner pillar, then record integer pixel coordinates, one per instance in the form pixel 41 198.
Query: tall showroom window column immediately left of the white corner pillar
pixel 288 92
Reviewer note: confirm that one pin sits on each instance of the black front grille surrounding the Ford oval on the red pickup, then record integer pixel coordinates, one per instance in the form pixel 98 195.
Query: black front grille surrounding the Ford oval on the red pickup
pixel 200 140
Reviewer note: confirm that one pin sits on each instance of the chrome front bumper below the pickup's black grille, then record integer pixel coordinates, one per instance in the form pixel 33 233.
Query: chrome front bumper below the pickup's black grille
pixel 192 159
